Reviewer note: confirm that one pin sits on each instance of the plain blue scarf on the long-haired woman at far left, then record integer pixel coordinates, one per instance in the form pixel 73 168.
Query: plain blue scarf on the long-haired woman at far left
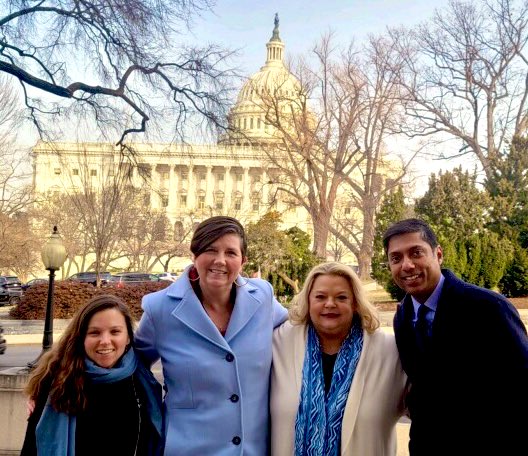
pixel 55 431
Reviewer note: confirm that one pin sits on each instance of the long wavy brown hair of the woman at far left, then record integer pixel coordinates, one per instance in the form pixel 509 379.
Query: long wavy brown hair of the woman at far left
pixel 62 369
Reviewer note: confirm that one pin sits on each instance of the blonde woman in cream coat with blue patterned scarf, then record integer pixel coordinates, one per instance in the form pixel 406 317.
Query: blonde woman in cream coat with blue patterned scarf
pixel 337 385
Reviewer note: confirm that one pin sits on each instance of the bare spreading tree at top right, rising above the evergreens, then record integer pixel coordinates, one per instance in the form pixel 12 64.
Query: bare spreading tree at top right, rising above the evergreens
pixel 465 76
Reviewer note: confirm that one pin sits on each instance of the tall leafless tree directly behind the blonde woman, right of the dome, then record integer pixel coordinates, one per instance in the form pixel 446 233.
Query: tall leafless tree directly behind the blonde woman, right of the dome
pixel 330 139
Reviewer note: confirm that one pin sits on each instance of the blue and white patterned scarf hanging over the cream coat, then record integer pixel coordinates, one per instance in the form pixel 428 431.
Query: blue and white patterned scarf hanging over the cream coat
pixel 319 417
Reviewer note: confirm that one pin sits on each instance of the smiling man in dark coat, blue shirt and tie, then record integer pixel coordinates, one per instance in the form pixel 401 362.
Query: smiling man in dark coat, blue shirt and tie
pixel 464 349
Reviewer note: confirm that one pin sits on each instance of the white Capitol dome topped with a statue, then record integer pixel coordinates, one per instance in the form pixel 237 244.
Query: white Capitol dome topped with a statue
pixel 273 83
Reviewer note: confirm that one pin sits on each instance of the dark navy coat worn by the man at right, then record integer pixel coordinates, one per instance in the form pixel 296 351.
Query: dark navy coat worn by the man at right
pixel 469 391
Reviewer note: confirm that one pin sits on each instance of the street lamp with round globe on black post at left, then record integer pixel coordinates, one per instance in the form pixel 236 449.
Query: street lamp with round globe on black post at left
pixel 53 255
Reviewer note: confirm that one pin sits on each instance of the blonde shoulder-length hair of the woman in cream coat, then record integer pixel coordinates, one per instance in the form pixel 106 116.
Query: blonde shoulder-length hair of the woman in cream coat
pixel 299 311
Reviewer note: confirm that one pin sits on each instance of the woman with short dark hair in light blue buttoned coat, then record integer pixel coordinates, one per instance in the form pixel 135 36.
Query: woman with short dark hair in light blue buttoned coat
pixel 213 331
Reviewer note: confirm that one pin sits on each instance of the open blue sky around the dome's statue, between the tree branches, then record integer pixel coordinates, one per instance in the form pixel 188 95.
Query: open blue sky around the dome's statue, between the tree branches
pixel 247 25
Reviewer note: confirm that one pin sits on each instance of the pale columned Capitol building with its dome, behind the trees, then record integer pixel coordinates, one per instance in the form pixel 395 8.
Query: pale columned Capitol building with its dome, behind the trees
pixel 230 177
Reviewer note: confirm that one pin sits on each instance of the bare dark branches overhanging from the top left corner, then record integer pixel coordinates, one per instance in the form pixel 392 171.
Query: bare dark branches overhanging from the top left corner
pixel 122 64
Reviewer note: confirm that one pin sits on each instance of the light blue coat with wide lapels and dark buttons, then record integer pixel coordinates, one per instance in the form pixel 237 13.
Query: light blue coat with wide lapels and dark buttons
pixel 217 389
